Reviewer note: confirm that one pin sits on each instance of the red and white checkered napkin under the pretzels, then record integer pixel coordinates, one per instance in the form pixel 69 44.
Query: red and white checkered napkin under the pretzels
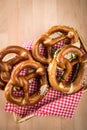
pixel 54 103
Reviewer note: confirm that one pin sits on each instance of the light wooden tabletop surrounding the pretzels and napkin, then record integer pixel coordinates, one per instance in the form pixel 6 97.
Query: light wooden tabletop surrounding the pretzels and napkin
pixel 22 20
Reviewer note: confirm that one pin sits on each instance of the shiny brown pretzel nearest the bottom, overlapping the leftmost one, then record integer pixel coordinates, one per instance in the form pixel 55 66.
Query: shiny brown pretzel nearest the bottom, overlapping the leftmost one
pixel 23 81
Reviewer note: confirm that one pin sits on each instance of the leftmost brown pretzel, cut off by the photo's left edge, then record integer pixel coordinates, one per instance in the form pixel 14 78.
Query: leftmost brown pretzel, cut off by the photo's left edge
pixel 6 66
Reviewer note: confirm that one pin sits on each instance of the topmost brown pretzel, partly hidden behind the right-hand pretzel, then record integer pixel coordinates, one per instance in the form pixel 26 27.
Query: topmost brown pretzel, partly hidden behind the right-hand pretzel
pixel 50 38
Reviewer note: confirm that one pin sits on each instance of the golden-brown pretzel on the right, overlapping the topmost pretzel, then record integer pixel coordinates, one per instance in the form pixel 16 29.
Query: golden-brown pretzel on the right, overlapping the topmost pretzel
pixel 66 64
